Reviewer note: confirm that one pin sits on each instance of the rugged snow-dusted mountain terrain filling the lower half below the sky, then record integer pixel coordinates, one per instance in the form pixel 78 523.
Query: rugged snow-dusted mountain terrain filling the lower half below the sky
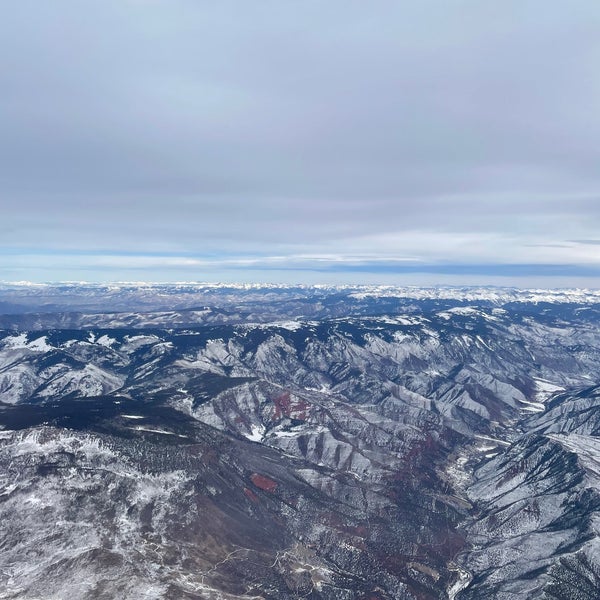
pixel 415 447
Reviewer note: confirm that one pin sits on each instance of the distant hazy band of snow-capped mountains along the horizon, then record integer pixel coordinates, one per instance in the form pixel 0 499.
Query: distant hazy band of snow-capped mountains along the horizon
pixel 236 303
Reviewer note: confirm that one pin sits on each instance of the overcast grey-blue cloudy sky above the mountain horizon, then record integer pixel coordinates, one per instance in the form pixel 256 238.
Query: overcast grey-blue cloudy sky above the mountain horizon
pixel 408 142
